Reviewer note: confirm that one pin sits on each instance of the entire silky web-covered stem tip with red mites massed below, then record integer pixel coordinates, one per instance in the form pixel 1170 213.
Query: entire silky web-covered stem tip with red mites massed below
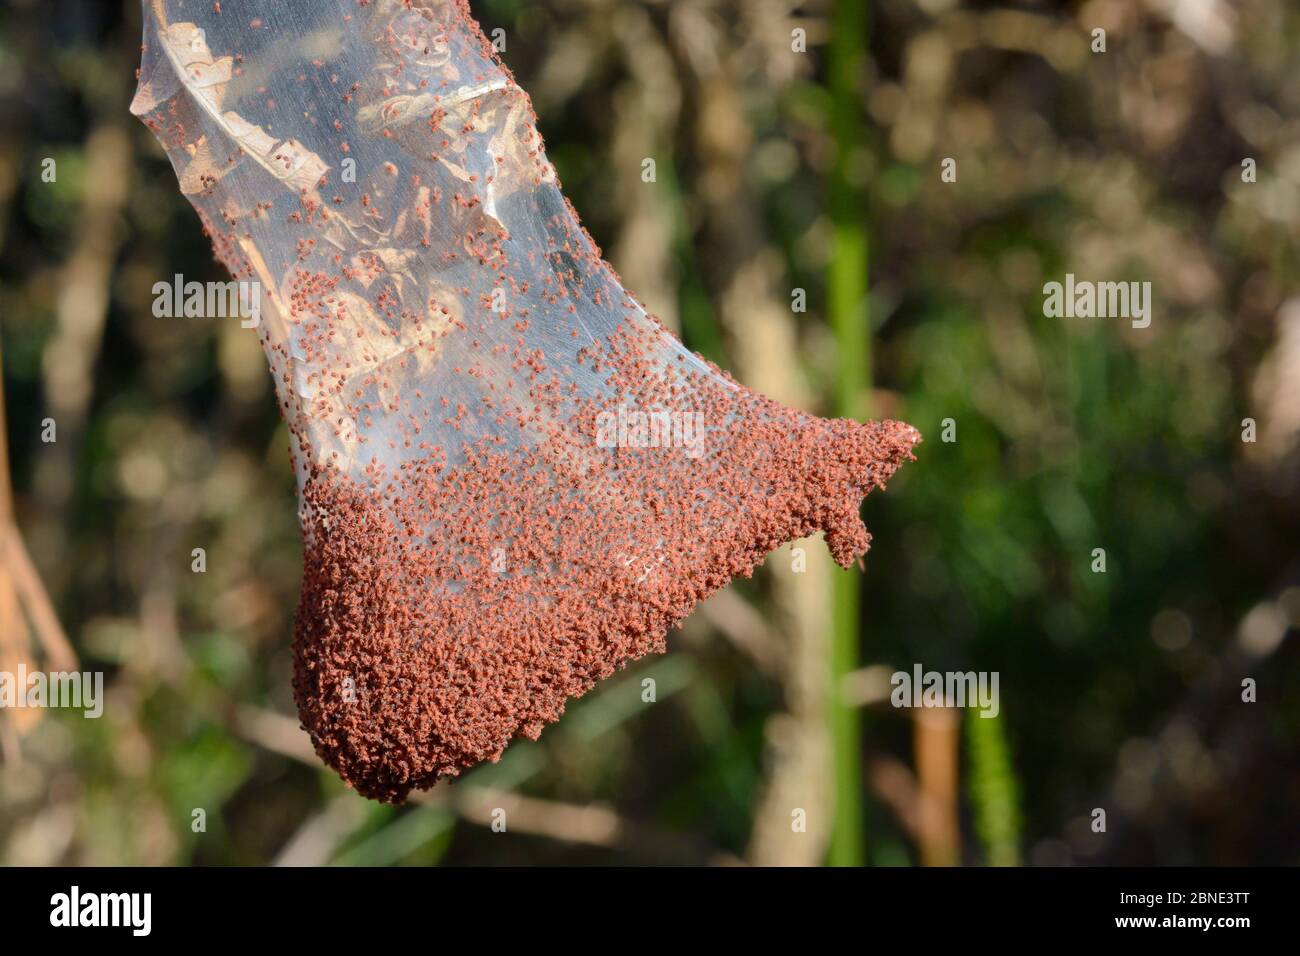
pixel 513 481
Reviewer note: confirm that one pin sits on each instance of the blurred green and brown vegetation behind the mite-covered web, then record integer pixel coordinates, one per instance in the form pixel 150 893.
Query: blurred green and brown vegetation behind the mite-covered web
pixel 1119 691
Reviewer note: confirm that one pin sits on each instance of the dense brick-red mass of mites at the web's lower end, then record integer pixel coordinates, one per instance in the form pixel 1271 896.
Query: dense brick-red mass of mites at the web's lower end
pixel 449 609
